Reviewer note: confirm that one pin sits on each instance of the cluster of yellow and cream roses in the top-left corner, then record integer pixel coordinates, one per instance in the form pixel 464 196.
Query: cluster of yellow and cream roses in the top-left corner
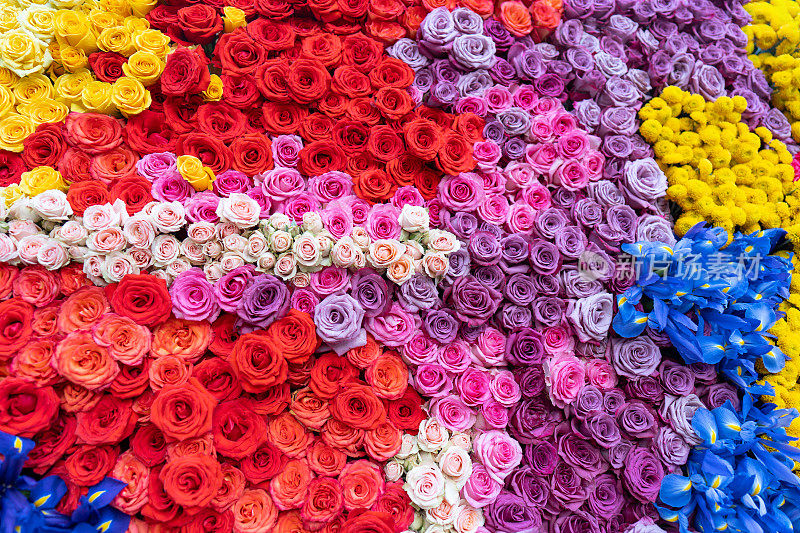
pixel 44 49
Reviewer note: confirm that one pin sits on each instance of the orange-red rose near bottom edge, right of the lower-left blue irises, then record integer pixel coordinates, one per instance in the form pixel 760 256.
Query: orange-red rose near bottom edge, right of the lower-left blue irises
pixel 192 480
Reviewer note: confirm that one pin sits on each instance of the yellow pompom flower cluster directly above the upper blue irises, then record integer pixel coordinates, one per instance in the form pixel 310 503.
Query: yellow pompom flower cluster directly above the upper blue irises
pixel 718 170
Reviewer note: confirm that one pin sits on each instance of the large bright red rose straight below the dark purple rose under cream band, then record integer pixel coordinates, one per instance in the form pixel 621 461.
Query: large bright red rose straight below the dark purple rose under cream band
pixel 257 362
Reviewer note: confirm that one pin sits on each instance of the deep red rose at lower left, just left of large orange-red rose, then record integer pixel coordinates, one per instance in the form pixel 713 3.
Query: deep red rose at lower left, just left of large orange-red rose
pixel 110 421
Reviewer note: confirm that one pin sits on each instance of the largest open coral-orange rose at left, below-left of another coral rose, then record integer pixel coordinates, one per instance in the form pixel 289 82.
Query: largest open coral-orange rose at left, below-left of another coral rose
pixel 83 362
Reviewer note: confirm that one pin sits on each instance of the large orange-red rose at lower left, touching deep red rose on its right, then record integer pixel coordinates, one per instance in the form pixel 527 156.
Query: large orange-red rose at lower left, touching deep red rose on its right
pixel 183 411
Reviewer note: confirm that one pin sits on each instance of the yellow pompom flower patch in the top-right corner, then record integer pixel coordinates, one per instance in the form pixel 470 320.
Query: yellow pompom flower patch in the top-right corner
pixel 773 39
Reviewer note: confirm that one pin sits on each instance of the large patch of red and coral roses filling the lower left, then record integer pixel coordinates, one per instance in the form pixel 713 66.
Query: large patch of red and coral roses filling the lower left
pixel 220 432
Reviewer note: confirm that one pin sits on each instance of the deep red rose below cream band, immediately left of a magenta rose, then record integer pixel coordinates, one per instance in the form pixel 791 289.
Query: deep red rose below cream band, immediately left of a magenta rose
pixel 142 298
